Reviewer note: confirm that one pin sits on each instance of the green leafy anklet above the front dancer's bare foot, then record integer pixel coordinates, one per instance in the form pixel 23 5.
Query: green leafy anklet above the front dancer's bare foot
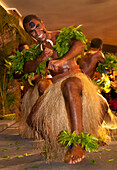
pixel 86 140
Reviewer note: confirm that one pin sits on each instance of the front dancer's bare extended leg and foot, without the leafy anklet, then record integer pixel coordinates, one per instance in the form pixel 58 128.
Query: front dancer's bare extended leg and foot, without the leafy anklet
pixel 72 92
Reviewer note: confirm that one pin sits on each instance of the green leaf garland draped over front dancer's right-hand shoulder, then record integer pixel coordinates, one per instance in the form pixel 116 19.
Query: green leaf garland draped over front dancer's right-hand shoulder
pixel 67 33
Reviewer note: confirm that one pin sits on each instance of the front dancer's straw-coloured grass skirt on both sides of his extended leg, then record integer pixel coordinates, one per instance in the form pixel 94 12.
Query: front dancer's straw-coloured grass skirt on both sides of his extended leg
pixel 51 116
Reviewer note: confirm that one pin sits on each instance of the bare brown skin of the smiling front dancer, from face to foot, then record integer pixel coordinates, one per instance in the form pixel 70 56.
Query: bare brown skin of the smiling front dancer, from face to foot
pixel 71 87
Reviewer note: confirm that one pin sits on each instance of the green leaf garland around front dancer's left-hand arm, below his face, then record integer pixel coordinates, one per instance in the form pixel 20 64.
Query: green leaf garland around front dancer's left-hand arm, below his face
pixel 16 63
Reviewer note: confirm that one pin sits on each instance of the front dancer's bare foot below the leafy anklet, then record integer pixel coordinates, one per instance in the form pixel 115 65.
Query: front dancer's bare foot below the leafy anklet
pixel 74 155
